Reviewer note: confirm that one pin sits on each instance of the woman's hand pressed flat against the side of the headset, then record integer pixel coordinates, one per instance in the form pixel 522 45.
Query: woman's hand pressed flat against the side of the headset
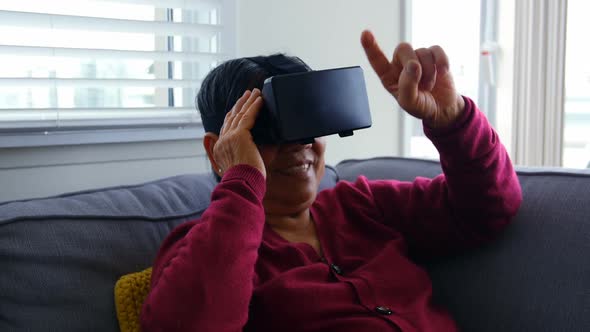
pixel 235 144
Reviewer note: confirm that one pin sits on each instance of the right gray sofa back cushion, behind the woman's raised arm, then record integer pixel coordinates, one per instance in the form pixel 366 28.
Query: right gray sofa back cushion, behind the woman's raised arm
pixel 536 276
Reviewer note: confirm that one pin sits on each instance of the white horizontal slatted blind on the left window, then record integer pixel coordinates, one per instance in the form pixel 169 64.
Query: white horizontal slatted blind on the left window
pixel 91 65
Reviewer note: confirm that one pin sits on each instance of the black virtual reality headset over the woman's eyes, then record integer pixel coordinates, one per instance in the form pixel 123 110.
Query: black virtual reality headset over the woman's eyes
pixel 302 106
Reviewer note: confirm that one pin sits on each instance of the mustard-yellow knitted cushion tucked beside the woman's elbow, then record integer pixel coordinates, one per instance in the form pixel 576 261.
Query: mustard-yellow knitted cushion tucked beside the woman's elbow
pixel 130 293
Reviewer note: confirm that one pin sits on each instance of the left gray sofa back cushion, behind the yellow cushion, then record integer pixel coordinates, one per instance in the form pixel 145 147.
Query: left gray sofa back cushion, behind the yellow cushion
pixel 62 256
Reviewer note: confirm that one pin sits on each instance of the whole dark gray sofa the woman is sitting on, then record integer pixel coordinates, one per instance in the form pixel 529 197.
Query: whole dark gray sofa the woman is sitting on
pixel 60 257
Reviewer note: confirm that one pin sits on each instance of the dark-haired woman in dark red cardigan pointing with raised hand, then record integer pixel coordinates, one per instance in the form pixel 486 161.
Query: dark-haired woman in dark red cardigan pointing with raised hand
pixel 272 254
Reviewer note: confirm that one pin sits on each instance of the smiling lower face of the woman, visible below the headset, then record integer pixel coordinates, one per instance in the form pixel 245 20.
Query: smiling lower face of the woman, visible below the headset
pixel 293 174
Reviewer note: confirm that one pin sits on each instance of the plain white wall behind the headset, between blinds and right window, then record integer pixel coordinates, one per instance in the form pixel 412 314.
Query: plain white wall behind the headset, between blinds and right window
pixel 326 34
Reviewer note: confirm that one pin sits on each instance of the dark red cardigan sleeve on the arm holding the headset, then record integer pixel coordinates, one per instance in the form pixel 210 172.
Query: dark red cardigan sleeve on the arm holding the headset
pixel 203 275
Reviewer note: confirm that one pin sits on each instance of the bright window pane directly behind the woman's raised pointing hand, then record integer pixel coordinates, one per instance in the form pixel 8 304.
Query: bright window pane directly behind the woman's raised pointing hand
pixel 470 41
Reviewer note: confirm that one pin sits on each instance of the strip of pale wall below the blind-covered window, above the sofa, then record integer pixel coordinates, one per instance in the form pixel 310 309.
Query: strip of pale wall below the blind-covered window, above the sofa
pixel 46 171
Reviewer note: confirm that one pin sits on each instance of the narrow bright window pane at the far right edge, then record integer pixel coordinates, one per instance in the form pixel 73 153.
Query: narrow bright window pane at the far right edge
pixel 576 132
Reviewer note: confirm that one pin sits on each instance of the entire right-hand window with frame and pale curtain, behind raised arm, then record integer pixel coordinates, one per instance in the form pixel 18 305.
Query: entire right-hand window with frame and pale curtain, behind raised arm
pixel 533 77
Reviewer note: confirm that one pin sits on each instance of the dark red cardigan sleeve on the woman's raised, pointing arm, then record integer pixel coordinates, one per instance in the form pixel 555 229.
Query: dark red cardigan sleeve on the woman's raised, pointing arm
pixel 469 204
